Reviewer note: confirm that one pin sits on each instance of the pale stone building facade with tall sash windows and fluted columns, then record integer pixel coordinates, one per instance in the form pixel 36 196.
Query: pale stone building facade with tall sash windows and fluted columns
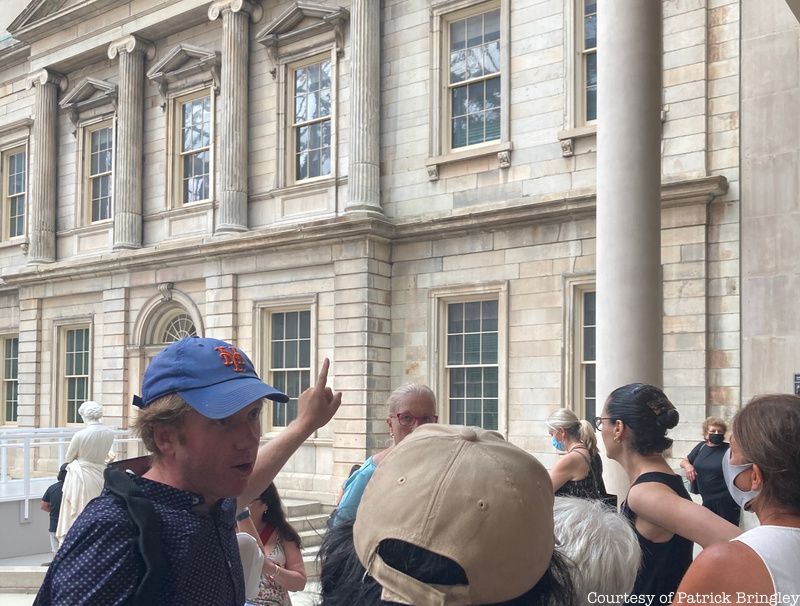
pixel 405 186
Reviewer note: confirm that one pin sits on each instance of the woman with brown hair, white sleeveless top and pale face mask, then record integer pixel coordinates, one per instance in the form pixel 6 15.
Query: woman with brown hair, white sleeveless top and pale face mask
pixel 762 470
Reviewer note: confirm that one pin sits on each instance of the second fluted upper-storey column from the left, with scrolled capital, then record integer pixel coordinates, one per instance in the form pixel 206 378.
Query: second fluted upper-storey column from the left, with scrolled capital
pixel 128 148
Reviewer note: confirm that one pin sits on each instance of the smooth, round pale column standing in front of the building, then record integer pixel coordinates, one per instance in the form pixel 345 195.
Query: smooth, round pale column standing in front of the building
pixel 629 293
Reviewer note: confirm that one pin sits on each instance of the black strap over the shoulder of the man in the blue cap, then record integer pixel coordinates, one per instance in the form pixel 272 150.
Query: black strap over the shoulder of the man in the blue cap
pixel 143 515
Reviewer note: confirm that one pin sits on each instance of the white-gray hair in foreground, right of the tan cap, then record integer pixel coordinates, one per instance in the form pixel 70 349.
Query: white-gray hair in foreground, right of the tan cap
pixel 602 544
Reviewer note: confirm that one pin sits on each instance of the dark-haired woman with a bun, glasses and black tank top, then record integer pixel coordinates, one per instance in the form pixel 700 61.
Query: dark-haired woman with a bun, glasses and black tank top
pixel 633 425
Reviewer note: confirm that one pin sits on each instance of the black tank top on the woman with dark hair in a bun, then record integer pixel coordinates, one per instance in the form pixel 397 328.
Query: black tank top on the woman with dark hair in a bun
pixel 663 564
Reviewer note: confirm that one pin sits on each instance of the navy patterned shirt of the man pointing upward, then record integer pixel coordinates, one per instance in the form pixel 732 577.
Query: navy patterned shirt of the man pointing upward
pixel 100 564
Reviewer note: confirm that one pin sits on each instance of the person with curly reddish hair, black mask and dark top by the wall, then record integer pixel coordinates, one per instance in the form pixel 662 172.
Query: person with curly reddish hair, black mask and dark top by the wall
pixel 703 467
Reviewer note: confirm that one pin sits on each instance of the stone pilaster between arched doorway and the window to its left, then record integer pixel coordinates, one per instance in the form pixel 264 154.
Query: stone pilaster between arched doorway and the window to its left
pixel 113 378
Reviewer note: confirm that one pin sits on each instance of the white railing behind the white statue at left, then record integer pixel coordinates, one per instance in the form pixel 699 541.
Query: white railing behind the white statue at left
pixel 41 451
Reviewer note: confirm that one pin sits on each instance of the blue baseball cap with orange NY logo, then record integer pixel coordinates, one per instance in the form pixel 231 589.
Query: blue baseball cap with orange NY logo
pixel 215 378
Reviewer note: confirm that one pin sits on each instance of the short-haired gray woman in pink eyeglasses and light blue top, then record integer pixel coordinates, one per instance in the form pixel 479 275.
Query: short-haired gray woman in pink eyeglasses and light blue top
pixel 410 406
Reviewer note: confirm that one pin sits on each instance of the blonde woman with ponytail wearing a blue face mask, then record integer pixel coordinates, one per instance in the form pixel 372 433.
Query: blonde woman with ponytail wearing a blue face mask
pixel 579 471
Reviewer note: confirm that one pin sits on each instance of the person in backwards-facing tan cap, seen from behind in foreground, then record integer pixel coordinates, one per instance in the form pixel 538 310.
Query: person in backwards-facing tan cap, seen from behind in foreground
pixel 452 516
